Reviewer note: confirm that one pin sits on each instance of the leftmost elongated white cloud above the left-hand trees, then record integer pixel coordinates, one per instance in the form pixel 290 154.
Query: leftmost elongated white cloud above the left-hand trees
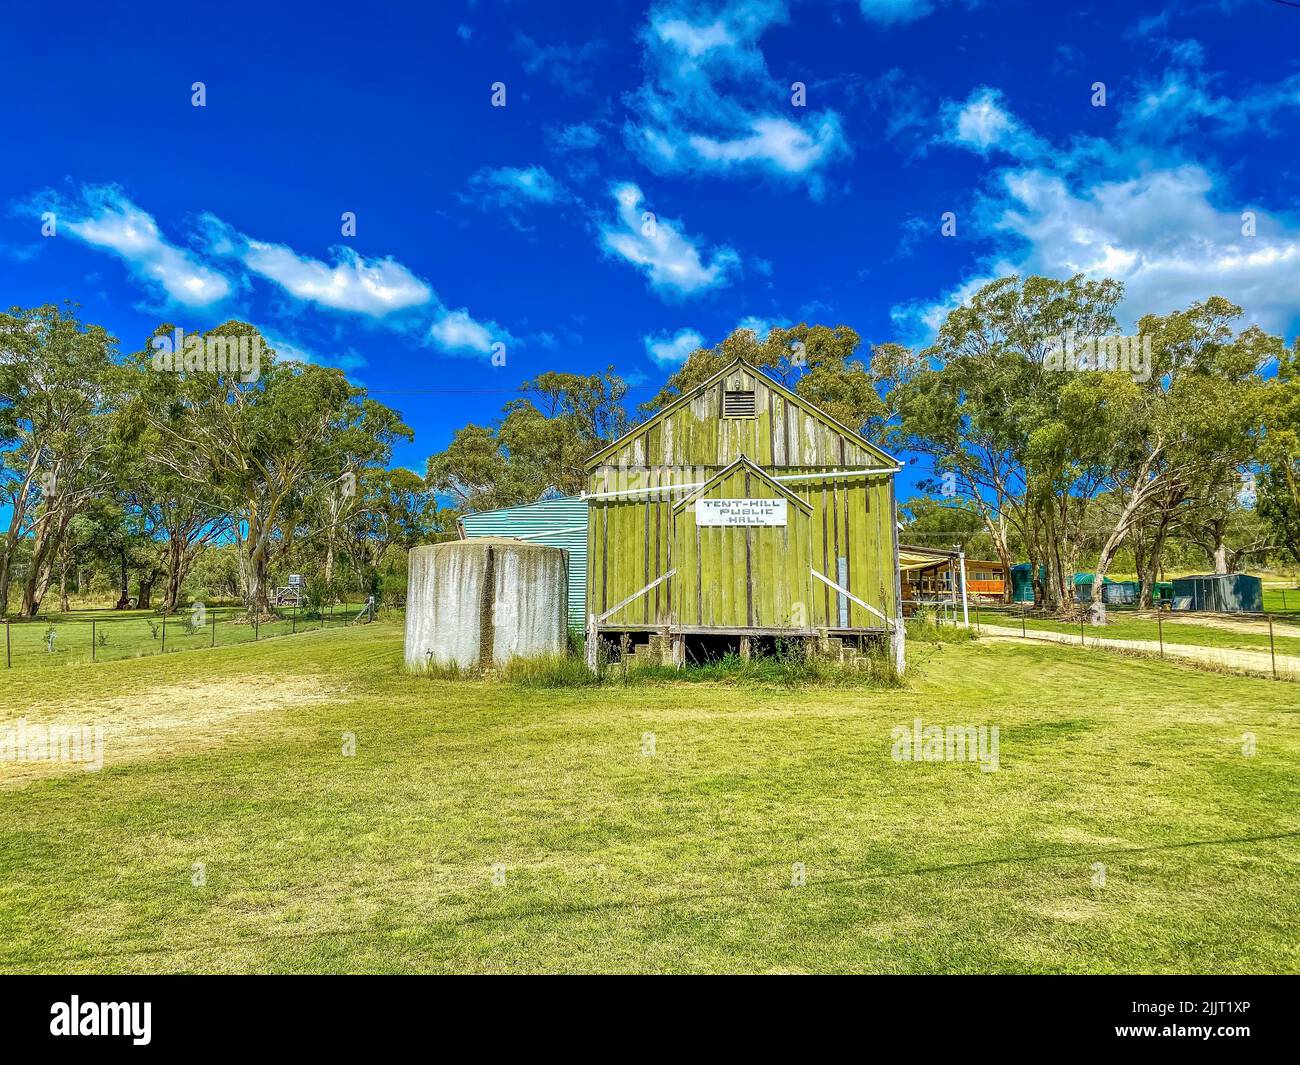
pixel 107 220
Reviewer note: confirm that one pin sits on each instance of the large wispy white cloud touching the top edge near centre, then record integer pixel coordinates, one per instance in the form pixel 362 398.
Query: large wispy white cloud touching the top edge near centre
pixel 710 106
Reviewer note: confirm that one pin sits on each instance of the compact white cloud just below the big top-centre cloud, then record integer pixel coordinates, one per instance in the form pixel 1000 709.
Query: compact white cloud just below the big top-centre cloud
pixel 658 248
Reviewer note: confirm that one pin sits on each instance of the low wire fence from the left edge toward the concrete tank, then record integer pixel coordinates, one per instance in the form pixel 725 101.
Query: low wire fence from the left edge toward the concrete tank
pixel 71 639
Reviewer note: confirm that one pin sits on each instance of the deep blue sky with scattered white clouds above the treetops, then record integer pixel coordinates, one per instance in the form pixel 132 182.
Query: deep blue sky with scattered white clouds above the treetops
pixel 523 226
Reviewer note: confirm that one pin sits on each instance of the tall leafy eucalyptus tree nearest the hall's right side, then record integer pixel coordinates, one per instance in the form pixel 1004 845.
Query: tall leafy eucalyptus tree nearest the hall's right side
pixel 1002 425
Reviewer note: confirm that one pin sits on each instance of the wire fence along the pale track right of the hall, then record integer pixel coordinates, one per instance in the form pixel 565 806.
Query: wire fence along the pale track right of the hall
pixel 1264 644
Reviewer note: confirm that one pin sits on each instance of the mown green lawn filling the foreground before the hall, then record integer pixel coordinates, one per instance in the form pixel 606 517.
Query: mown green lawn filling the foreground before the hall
pixel 616 860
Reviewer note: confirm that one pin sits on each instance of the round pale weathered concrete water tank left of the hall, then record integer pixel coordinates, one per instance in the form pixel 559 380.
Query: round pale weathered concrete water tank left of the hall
pixel 482 603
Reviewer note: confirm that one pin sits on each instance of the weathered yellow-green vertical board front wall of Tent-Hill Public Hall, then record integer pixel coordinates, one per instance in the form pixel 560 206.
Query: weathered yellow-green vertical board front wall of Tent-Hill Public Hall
pixel 638 535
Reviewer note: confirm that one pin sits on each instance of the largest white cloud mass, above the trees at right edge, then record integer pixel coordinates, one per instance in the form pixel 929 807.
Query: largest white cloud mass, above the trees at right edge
pixel 1133 209
